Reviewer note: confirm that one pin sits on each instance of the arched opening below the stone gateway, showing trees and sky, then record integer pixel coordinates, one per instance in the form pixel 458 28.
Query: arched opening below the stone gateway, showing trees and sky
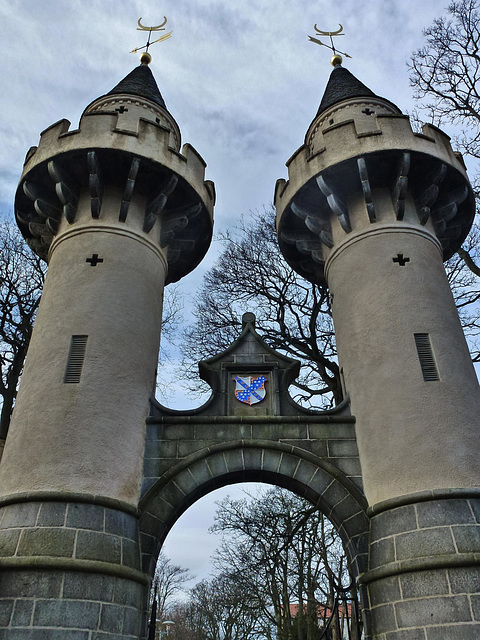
pixel 281 530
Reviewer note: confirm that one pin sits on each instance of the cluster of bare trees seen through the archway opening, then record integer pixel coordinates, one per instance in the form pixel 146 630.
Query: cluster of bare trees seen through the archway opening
pixel 281 551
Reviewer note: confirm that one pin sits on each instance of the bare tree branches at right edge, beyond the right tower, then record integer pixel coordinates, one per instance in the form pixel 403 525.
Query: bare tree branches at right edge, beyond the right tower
pixel 444 75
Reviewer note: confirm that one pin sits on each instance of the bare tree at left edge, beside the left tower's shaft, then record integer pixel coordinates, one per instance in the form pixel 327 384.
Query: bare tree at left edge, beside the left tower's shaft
pixel 21 280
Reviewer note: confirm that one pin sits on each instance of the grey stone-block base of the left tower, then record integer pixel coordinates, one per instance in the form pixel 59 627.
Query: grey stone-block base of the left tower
pixel 69 571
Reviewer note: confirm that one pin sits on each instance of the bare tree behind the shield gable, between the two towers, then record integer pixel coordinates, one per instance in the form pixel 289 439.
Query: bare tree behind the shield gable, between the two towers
pixel 293 315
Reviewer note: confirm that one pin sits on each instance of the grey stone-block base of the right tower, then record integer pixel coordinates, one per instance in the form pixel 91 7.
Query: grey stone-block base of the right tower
pixel 424 578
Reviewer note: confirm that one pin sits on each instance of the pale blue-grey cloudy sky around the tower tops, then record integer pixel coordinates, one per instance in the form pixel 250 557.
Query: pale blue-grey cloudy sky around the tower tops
pixel 240 78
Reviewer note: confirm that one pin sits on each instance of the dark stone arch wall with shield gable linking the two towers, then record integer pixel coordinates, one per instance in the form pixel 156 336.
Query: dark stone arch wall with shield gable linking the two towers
pixel 274 440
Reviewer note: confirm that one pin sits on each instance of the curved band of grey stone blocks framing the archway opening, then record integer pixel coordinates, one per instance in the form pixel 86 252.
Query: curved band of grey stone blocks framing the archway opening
pixel 275 463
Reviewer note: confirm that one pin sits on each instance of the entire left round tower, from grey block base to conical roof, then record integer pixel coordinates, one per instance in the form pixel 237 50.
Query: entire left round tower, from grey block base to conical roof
pixel 119 209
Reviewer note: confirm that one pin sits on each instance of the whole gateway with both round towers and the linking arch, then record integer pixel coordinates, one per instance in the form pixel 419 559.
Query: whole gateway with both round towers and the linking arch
pixel 88 491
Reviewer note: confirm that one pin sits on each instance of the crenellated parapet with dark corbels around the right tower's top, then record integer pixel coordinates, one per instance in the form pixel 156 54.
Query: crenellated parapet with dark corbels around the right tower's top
pixel 364 156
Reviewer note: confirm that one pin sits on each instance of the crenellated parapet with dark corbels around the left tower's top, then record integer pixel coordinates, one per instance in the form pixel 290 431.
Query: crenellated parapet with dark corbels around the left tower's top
pixel 140 160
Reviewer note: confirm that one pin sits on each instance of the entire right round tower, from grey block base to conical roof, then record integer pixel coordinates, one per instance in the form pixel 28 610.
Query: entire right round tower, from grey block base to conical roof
pixel 374 209
